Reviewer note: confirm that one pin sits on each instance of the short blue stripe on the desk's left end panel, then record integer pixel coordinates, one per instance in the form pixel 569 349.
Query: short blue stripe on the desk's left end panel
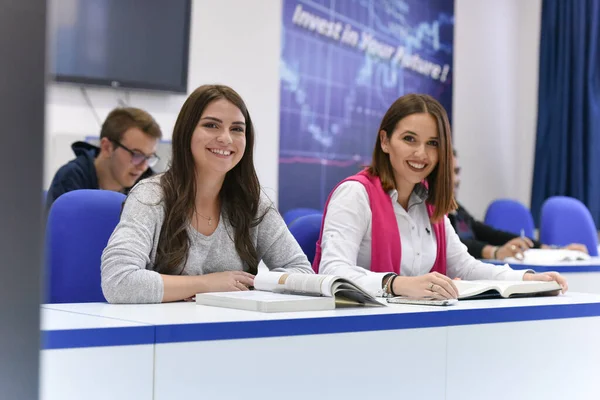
pixel 97 337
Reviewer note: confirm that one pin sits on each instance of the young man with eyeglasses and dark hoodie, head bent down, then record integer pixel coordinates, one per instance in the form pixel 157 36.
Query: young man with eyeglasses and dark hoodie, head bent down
pixel 128 141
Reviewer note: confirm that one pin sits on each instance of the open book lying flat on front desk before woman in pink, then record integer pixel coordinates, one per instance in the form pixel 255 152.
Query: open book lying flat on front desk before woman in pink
pixel 494 289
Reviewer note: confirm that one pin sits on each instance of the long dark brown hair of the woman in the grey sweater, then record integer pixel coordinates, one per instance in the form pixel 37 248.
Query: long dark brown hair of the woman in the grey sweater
pixel 239 195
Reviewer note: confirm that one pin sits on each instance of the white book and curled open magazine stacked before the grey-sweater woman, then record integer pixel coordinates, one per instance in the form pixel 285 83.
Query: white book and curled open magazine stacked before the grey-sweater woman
pixel 280 291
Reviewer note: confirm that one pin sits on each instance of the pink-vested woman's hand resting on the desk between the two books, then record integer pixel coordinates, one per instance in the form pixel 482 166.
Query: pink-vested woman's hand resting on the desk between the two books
pixel 433 285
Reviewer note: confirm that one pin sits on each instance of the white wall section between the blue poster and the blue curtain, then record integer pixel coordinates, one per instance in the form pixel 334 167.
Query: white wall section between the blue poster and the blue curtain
pixel 496 52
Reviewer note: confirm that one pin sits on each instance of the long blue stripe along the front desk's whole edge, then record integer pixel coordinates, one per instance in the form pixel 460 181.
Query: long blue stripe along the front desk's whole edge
pixel 161 334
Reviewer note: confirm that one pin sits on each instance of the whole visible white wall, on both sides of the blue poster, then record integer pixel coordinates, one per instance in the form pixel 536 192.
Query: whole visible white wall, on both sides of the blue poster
pixel 238 43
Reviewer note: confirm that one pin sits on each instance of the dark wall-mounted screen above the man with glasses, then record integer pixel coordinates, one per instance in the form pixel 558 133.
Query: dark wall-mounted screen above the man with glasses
pixel 140 44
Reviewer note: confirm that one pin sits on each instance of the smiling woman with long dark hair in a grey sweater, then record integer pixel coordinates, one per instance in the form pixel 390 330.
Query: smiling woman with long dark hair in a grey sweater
pixel 204 224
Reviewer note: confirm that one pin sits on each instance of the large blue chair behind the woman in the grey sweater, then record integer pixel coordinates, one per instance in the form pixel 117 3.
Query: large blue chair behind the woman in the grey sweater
pixel 78 228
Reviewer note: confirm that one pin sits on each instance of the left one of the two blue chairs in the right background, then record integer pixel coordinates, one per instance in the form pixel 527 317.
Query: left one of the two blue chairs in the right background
pixel 510 216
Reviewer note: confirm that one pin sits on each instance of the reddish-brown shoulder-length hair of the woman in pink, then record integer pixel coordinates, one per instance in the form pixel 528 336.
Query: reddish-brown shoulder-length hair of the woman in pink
pixel 441 188
